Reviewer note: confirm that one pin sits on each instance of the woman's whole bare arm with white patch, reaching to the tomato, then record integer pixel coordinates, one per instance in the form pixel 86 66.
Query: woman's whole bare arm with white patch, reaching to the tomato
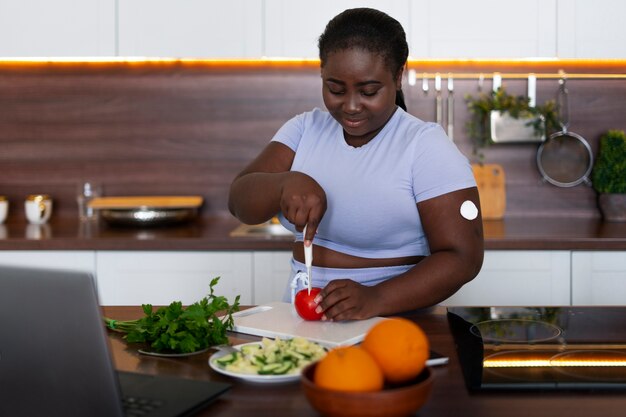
pixel 457 250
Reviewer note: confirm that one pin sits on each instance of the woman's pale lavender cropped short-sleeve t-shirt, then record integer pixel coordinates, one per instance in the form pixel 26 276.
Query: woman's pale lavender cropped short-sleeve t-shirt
pixel 372 190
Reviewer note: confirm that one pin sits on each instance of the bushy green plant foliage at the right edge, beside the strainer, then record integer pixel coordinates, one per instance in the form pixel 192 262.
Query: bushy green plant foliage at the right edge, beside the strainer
pixel 609 171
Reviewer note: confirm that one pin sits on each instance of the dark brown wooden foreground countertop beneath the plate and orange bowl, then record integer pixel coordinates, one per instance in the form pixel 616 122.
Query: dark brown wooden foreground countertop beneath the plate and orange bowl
pixel 448 398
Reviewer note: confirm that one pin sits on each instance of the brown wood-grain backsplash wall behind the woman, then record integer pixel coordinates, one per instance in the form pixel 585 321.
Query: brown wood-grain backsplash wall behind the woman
pixel 170 128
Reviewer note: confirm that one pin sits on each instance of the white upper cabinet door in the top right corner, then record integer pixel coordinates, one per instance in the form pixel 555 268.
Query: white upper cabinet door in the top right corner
pixel 591 29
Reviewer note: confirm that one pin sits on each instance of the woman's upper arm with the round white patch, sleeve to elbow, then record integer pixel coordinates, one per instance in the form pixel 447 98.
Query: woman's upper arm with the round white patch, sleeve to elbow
pixel 447 230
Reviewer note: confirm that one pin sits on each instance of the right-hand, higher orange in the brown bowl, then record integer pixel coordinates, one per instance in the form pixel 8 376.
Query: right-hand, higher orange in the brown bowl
pixel 399 346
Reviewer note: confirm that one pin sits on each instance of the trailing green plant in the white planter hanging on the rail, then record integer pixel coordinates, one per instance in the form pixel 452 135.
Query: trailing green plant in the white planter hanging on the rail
pixel 543 118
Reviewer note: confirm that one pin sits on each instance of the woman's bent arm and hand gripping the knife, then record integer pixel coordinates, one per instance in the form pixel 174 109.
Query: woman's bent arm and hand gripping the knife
pixel 267 186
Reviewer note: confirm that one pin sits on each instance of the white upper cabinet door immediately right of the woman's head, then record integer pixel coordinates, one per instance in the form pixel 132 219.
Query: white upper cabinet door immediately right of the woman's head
pixel 483 29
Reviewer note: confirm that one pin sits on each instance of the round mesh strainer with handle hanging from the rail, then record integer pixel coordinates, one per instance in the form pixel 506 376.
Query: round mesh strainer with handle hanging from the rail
pixel 565 159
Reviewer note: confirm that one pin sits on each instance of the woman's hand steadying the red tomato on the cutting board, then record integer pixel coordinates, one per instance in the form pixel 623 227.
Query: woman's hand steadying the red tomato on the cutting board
pixel 344 299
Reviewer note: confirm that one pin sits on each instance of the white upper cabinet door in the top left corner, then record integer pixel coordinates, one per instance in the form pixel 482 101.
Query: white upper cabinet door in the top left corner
pixel 67 28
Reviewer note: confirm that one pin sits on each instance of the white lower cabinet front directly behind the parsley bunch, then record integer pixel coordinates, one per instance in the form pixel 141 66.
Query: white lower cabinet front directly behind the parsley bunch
pixel 158 278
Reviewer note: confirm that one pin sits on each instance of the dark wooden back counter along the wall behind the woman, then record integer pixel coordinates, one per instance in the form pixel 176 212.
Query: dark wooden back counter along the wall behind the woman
pixel 213 234
